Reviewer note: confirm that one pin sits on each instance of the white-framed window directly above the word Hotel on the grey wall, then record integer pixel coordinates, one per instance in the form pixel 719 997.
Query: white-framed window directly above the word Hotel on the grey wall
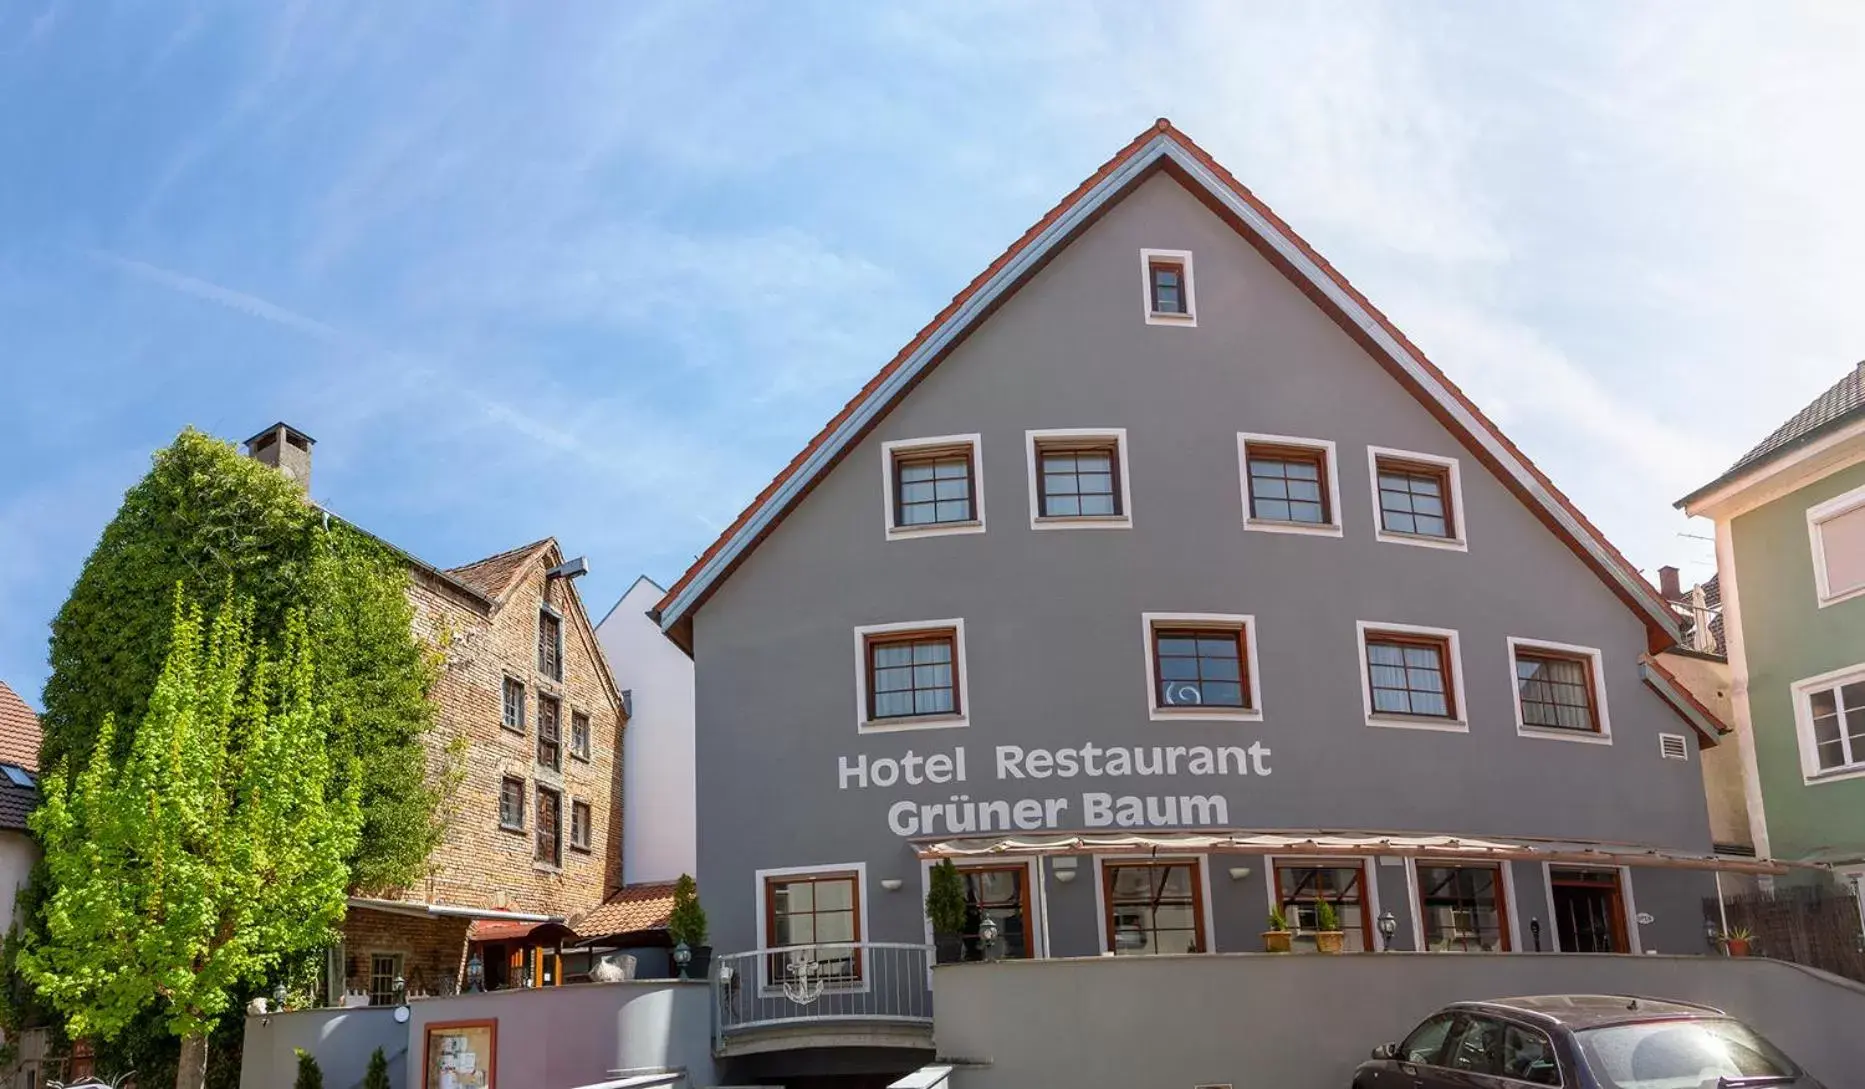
pixel 911 676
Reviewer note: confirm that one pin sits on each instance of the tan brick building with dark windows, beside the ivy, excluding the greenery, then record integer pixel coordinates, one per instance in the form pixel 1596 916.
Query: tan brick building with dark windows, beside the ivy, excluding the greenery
pixel 531 721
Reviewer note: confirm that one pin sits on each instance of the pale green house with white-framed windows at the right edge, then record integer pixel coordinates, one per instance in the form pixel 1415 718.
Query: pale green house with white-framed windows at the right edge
pixel 1791 573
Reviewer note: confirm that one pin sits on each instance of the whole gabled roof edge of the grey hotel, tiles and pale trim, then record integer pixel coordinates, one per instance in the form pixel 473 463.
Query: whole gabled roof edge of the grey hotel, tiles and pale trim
pixel 1163 148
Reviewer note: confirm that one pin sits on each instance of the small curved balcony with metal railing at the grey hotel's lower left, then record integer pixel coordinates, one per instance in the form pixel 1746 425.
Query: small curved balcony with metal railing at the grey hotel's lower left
pixel 863 995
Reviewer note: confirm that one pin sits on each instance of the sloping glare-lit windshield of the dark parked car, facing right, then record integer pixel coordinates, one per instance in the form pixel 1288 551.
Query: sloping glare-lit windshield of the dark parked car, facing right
pixel 1692 1055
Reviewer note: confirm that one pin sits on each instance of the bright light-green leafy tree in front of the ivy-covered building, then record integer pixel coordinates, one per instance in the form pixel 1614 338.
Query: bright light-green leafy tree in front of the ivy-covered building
pixel 212 853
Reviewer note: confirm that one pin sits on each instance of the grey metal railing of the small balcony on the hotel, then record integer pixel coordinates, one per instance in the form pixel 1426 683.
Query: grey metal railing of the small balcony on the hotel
pixel 846 982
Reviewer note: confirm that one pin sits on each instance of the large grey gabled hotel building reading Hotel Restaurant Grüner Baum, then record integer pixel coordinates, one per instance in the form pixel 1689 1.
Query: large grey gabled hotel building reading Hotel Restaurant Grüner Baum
pixel 1157 603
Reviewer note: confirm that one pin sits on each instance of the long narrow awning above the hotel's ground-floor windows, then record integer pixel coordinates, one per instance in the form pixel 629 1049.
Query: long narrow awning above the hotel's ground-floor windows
pixel 1359 844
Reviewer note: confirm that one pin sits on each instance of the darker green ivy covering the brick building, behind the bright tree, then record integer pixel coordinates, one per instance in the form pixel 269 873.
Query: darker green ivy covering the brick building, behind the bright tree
pixel 225 527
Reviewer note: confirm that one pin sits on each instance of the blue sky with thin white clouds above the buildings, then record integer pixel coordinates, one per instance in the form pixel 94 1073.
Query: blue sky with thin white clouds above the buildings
pixel 596 271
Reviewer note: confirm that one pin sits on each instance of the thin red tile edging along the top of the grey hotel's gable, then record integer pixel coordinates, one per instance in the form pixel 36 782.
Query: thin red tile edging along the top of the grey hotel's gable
pixel 1286 230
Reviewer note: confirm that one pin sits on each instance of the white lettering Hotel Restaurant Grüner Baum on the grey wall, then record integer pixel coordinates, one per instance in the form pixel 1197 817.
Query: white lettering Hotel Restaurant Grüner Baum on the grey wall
pixel 963 816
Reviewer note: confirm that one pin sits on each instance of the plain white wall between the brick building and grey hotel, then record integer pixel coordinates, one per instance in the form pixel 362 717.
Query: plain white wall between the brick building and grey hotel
pixel 657 769
